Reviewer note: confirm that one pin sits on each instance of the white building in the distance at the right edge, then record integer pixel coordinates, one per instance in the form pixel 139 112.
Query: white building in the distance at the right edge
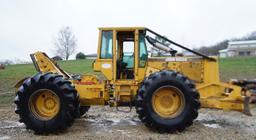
pixel 239 48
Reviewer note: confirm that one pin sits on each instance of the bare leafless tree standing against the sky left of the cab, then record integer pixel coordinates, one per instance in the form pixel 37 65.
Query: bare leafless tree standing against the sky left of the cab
pixel 65 43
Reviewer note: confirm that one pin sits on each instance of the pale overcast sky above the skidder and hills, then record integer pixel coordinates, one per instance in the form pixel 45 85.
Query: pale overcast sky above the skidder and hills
pixel 27 26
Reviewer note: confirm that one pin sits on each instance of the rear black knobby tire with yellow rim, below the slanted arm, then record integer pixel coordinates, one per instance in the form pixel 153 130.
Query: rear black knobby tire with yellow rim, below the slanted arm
pixel 46 103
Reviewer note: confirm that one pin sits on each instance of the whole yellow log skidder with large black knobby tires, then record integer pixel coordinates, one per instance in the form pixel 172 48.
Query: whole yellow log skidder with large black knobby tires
pixel 166 91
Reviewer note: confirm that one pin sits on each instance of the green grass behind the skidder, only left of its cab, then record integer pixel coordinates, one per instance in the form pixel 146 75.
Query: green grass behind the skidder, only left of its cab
pixel 13 73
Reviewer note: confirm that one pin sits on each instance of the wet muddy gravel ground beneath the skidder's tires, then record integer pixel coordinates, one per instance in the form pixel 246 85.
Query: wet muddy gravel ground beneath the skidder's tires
pixel 106 123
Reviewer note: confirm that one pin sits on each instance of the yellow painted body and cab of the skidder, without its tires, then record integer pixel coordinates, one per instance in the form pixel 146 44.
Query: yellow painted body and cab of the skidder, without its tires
pixel 118 89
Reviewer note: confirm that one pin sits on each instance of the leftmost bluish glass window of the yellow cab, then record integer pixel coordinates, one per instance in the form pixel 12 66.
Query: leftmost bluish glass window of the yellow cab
pixel 106 45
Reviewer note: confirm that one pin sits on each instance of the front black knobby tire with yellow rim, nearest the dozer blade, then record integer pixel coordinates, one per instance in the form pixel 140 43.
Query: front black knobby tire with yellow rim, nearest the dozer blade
pixel 167 101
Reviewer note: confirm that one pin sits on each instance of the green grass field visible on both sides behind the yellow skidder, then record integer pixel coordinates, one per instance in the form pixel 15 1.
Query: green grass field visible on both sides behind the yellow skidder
pixel 240 68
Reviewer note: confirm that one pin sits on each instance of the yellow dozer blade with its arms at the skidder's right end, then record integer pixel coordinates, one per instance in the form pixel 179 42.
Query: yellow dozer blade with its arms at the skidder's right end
pixel 235 97
